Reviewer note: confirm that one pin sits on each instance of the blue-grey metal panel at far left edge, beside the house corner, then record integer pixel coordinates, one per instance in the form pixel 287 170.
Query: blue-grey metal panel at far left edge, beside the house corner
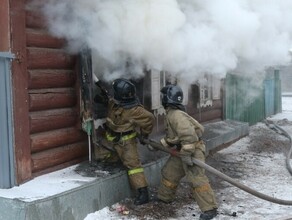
pixel 7 177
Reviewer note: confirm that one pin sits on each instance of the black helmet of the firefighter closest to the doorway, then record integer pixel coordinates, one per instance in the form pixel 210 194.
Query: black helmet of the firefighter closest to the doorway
pixel 124 90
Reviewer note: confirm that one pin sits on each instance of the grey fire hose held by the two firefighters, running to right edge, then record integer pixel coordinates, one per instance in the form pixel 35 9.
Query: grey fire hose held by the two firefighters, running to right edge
pixel 253 192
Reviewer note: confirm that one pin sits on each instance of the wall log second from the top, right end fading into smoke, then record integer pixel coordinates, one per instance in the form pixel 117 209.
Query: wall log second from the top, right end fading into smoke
pixel 41 38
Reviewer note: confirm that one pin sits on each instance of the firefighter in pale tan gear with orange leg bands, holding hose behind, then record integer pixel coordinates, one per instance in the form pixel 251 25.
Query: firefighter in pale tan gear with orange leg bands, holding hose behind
pixel 184 133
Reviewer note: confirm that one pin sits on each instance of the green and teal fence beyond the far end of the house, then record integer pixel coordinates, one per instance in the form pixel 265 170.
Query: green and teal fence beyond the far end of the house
pixel 250 101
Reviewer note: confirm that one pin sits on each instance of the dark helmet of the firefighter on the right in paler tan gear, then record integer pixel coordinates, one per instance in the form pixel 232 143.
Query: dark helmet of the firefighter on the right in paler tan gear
pixel 171 95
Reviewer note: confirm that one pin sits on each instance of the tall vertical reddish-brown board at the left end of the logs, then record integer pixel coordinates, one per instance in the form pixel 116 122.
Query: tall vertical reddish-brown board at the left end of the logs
pixel 20 93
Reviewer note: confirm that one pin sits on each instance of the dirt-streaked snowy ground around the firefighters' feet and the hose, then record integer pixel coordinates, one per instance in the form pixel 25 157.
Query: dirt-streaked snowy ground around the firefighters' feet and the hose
pixel 257 161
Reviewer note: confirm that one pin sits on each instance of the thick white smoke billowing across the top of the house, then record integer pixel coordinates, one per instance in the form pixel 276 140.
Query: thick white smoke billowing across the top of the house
pixel 184 37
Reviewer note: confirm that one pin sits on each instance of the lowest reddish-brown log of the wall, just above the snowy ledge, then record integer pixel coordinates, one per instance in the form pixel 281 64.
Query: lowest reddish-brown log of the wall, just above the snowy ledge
pixel 56 156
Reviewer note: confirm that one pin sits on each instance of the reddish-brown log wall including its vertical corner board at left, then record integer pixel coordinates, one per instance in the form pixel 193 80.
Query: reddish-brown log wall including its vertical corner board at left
pixel 46 98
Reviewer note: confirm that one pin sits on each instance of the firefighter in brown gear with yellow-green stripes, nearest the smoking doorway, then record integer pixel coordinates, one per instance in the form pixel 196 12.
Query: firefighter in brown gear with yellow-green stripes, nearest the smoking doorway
pixel 126 118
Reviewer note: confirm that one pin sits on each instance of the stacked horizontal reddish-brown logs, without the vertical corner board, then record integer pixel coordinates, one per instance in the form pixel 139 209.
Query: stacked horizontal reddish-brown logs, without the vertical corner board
pixel 55 137
